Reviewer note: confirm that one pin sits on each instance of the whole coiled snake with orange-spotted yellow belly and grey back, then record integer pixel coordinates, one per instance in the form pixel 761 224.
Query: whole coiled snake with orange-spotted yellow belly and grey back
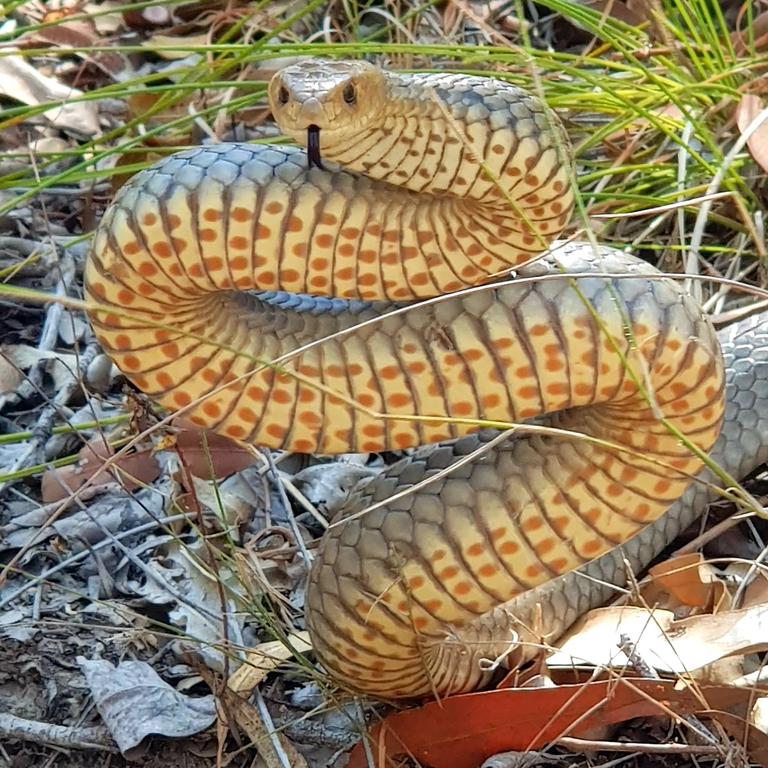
pixel 397 282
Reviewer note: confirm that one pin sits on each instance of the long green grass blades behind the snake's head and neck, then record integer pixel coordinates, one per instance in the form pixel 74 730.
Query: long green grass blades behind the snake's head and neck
pixel 616 89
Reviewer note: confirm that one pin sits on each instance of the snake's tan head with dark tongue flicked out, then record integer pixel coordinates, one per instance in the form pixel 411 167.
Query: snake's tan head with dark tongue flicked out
pixel 322 104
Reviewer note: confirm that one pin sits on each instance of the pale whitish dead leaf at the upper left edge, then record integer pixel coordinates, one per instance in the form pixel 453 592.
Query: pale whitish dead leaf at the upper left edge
pixel 19 80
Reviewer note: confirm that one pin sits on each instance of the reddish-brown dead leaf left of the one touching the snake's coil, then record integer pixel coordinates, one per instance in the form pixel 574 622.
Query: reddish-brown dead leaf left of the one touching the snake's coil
pixel 135 470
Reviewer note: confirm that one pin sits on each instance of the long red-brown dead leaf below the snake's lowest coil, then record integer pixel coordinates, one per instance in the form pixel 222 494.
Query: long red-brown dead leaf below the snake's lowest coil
pixel 462 731
